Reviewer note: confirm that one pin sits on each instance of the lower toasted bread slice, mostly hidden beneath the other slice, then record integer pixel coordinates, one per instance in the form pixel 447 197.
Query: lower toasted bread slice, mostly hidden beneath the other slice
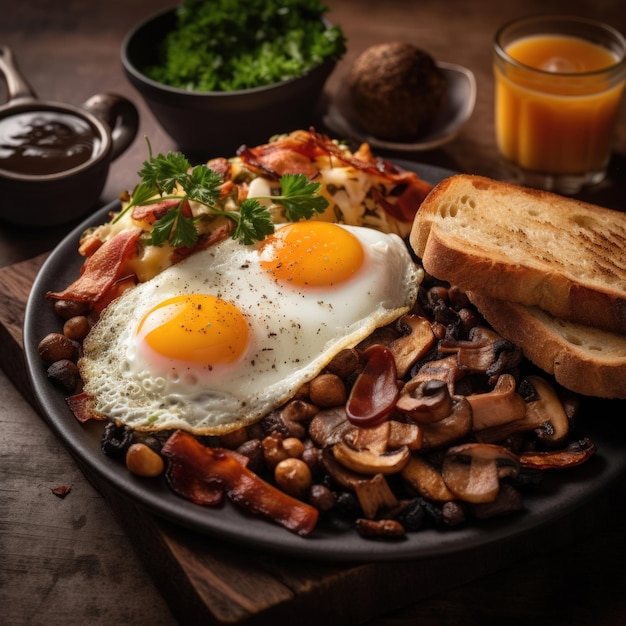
pixel 583 359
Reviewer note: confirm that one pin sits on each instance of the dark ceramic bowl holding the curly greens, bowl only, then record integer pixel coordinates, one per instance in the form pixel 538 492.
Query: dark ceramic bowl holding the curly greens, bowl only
pixel 210 124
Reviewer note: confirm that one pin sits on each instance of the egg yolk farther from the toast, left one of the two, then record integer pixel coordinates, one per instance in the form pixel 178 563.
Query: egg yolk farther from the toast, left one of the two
pixel 196 328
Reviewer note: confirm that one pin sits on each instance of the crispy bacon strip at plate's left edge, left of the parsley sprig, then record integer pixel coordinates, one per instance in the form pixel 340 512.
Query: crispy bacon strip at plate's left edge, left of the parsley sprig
pixel 100 271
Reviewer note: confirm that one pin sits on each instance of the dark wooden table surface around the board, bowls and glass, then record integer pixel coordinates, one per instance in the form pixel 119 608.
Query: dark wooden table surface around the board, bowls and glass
pixel 67 561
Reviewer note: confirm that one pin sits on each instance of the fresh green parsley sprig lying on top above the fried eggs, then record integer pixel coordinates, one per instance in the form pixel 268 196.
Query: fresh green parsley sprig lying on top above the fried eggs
pixel 164 176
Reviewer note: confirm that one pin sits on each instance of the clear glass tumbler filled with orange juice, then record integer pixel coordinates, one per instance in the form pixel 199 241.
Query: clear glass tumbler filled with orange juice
pixel 558 86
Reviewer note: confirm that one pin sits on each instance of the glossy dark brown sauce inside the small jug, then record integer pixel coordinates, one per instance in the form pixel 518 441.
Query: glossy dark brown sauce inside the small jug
pixel 45 142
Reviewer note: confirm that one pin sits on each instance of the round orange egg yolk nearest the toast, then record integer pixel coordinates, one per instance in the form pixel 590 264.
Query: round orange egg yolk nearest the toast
pixel 312 254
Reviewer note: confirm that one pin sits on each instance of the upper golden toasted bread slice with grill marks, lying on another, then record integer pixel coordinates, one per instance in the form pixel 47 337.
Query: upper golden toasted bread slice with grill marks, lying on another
pixel 527 246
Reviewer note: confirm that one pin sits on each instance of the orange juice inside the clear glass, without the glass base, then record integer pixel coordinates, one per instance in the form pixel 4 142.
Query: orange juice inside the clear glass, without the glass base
pixel 555 113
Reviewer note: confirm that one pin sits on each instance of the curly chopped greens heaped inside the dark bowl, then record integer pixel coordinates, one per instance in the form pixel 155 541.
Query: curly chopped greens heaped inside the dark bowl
pixel 227 45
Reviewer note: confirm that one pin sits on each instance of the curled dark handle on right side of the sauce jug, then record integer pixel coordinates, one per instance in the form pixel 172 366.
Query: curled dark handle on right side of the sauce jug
pixel 120 114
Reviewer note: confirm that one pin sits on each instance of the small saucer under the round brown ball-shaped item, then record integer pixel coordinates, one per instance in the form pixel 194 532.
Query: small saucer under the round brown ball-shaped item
pixel 460 105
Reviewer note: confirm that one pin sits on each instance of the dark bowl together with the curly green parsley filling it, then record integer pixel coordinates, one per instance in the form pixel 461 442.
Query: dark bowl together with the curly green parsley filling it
pixel 220 73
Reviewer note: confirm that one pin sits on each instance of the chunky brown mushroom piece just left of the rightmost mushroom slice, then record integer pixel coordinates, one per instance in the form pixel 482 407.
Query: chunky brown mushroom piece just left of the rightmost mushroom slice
pixel 500 406
